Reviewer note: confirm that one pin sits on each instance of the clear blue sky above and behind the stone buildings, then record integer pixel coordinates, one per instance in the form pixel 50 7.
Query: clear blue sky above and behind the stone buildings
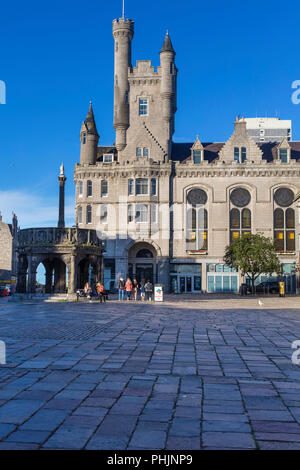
pixel 233 58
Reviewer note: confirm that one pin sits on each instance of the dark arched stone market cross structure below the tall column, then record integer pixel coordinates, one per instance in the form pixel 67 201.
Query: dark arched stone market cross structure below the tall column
pixel 59 250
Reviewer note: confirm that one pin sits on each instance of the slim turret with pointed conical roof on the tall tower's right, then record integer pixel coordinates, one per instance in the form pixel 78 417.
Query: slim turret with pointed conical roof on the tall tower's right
pixel 168 81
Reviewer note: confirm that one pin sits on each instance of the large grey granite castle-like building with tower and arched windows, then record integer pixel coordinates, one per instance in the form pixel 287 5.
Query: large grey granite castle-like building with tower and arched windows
pixel 169 209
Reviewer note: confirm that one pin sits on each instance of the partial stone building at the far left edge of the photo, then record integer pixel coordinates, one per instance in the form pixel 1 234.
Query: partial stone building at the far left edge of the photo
pixel 8 246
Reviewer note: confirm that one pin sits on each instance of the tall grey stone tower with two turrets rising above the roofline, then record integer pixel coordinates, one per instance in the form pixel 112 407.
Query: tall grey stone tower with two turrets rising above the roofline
pixel 144 98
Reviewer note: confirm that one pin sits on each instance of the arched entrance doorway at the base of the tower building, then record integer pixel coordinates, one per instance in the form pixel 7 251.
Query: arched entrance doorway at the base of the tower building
pixel 142 262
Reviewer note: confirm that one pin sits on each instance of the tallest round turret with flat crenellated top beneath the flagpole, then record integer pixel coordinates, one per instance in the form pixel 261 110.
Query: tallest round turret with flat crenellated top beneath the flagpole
pixel 123 31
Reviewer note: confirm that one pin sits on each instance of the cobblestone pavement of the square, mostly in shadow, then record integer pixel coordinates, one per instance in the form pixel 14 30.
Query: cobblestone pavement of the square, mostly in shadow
pixel 211 374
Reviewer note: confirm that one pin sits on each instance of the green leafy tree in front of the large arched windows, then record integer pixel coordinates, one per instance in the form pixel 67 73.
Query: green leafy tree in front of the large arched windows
pixel 253 255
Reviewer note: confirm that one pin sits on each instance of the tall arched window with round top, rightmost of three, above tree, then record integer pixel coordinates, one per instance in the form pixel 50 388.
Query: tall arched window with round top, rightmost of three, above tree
pixel 284 220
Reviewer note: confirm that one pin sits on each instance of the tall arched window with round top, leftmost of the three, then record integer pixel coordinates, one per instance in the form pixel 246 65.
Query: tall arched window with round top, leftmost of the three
pixel 196 221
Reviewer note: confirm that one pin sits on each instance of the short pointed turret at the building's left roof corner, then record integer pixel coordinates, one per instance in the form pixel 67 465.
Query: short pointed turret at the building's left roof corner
pixel 89 139
